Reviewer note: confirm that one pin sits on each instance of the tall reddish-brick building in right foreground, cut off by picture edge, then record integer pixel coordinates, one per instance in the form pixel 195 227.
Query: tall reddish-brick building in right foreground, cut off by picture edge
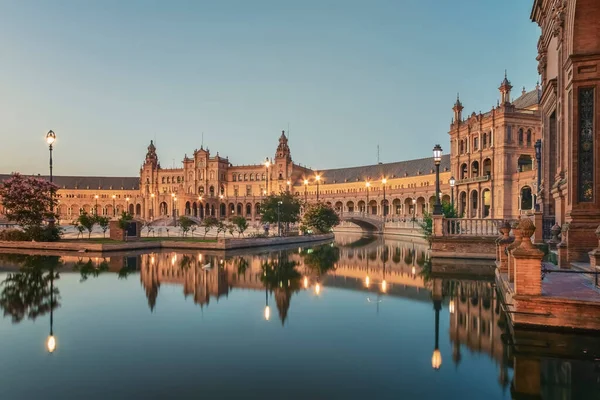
pixel 569 64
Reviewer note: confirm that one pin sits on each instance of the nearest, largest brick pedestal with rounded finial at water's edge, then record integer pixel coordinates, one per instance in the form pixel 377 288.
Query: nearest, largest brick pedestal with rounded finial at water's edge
pixel 528 262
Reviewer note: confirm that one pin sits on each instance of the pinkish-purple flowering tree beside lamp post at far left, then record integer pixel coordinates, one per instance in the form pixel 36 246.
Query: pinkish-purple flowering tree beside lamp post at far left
pixel 28 202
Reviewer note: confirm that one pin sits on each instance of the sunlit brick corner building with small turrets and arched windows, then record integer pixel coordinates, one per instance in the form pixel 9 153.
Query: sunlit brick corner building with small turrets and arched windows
pixel 493 156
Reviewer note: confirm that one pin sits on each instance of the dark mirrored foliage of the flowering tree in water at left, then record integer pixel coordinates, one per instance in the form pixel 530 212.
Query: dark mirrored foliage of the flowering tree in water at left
pixel 30 292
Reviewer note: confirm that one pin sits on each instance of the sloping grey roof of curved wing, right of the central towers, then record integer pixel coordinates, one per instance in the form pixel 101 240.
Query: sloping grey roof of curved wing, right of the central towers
pixel 400 169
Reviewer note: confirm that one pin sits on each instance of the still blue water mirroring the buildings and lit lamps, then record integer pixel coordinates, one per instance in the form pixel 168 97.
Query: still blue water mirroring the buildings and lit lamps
pixel 363 317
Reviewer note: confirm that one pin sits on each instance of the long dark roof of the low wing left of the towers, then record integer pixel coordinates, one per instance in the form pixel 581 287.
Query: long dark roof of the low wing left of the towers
pixel 90 182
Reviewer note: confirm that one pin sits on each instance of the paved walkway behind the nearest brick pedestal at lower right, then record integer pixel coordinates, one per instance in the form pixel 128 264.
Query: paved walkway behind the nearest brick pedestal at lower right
pixel 569 286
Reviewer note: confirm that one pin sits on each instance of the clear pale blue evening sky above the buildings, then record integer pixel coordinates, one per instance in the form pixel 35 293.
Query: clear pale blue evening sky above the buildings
pixel 345 76
